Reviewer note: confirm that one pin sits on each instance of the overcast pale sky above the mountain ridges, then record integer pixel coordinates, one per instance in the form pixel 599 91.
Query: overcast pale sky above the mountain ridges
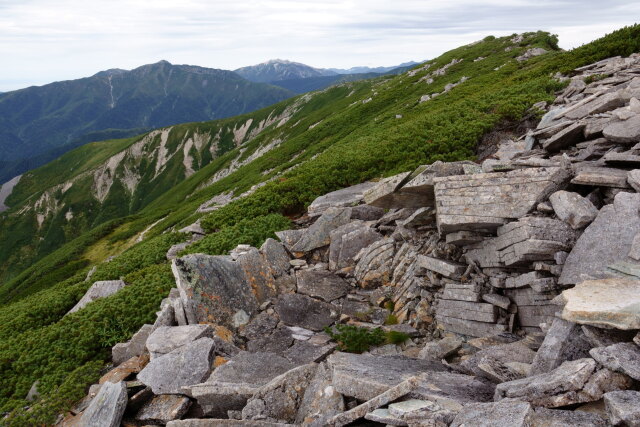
pixel 45 40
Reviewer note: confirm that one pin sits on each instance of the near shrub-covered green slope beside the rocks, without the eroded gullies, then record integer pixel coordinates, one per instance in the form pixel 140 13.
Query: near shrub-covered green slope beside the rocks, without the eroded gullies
pixel 353 143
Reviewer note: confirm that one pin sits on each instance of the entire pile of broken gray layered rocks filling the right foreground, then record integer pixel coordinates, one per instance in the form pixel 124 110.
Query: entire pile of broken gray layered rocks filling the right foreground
pixel 517 281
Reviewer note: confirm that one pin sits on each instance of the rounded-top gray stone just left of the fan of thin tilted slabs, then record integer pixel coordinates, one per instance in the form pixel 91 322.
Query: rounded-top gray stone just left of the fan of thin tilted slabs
pixel 347 241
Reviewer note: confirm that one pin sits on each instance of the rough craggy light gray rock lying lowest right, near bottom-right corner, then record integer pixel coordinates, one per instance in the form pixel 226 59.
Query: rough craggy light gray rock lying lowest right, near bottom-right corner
pixel 572 382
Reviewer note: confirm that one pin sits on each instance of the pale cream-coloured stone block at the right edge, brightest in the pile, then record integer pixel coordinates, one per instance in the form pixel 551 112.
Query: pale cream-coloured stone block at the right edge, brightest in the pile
pixel 604 303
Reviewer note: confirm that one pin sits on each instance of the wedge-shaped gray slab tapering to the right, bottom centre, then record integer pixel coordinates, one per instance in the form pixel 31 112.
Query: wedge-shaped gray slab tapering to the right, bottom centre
pixel 365 376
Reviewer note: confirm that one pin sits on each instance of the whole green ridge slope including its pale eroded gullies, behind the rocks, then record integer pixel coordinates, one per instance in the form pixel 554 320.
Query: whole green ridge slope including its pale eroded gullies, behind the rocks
pixel 128 205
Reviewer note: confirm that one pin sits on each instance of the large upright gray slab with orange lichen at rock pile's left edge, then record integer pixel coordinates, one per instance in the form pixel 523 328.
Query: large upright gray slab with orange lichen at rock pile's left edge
pixel 214 289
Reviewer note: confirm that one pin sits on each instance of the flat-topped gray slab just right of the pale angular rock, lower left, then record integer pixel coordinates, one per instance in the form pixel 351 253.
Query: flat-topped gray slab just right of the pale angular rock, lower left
pixel 235 382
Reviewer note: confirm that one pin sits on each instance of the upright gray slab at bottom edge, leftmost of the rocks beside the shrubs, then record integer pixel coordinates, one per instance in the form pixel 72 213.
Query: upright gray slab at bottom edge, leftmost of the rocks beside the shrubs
pixel 107 408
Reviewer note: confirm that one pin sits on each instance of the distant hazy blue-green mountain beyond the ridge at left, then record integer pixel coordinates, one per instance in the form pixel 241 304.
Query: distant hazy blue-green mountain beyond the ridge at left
pixel 36 122
